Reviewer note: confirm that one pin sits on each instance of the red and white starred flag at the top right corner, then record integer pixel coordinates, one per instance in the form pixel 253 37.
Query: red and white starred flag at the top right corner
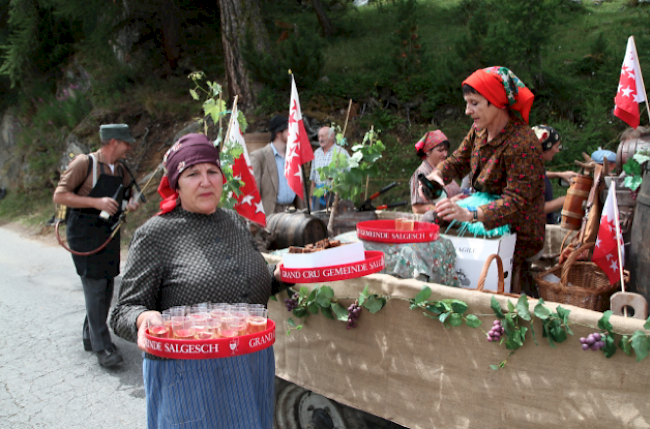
pixel 630 88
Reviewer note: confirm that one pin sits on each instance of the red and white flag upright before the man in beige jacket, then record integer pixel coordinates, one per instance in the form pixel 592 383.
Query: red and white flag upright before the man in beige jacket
pixel 299 149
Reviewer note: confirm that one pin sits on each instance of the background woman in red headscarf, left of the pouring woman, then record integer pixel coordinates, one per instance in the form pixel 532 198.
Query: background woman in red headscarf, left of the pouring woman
pixel 432 149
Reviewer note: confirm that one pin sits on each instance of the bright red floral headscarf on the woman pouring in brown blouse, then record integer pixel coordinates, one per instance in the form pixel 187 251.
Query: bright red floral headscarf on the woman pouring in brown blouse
pixel 502 88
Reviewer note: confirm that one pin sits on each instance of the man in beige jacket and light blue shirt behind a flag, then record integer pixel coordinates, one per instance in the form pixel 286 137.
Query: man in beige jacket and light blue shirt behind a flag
pixel 268 167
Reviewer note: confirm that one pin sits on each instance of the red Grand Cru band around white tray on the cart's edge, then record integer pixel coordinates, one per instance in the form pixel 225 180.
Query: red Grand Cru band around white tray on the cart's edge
pixel 373 263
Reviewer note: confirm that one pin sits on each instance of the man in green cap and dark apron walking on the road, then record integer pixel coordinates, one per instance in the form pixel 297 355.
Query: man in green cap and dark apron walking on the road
pixel 94 184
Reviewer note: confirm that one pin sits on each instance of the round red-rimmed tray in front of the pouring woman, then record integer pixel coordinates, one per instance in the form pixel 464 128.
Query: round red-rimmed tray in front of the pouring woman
pixel 395 231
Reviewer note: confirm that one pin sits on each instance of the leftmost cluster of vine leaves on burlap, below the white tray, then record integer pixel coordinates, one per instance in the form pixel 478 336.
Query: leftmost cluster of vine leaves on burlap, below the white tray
pixel 321 299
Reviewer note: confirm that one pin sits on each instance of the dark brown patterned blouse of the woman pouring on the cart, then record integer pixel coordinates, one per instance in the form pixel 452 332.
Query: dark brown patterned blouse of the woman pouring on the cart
pixel 511 166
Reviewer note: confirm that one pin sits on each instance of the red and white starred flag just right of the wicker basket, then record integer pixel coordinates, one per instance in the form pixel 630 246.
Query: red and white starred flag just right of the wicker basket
pixel 606 250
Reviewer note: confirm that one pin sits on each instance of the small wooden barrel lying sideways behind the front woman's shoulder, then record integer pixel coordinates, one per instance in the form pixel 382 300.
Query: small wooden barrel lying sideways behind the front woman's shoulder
pixel 294 229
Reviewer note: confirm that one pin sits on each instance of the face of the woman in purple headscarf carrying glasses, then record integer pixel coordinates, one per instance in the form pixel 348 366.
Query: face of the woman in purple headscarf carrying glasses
pixel 200 187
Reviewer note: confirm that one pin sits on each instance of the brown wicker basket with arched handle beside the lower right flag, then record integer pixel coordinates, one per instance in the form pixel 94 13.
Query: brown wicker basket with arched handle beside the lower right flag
pixel 582 283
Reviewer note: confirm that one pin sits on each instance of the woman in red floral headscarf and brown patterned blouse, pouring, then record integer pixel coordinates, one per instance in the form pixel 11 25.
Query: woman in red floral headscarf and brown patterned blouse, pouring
pixel 503 156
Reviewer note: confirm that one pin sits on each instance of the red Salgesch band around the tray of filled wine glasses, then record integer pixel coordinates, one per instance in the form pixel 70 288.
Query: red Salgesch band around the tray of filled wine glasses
pixel 211 349
